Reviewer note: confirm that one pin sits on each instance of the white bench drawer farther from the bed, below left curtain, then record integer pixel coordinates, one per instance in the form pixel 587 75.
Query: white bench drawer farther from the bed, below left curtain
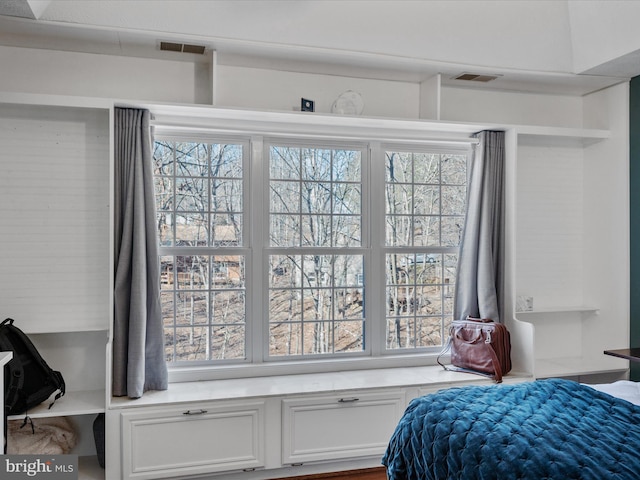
pixel 192 439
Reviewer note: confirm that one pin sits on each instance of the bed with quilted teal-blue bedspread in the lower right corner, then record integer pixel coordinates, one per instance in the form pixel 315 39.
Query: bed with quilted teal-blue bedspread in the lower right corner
pixel 546 429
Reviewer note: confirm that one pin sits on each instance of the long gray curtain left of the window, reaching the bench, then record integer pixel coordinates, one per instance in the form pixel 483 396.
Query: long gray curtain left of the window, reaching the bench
pixel 138 346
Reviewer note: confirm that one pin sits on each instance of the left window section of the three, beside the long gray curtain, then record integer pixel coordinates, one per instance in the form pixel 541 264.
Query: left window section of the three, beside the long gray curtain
pixel 199 191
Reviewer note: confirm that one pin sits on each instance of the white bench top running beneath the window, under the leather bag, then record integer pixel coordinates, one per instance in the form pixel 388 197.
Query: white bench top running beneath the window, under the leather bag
pixel 314 383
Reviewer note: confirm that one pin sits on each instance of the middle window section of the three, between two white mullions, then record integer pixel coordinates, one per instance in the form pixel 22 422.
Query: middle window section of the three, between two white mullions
pixel 316 257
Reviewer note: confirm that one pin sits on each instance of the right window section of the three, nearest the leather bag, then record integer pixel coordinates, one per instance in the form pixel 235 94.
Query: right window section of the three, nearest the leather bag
pixel 425 205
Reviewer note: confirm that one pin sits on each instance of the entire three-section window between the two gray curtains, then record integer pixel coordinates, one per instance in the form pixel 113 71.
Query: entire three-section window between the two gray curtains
pixel 352 248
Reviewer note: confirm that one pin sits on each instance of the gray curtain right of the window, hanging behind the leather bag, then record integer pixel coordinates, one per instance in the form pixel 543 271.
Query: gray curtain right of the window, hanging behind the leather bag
pixel 480 280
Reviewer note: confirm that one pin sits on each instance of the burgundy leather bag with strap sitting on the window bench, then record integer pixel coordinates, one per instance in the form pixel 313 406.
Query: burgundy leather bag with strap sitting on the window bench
pixel 479 346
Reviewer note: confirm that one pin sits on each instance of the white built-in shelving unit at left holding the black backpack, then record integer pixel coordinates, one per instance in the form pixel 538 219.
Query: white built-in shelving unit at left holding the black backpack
pixel 55 249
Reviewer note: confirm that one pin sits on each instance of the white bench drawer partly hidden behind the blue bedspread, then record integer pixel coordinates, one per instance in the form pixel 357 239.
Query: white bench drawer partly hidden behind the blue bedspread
pixel 338 427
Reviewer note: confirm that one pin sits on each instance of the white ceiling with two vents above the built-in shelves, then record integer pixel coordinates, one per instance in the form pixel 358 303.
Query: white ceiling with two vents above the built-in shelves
pixel 316 38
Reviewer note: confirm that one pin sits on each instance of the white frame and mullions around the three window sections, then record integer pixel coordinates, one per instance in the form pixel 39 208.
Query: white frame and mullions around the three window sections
pixel 418 136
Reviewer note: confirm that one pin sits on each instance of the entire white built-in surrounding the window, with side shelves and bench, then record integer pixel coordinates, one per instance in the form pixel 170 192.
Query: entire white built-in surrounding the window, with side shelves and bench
pixel 567 247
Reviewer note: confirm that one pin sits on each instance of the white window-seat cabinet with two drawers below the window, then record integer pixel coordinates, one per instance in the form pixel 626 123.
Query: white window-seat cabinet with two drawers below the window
pixel 262 429
